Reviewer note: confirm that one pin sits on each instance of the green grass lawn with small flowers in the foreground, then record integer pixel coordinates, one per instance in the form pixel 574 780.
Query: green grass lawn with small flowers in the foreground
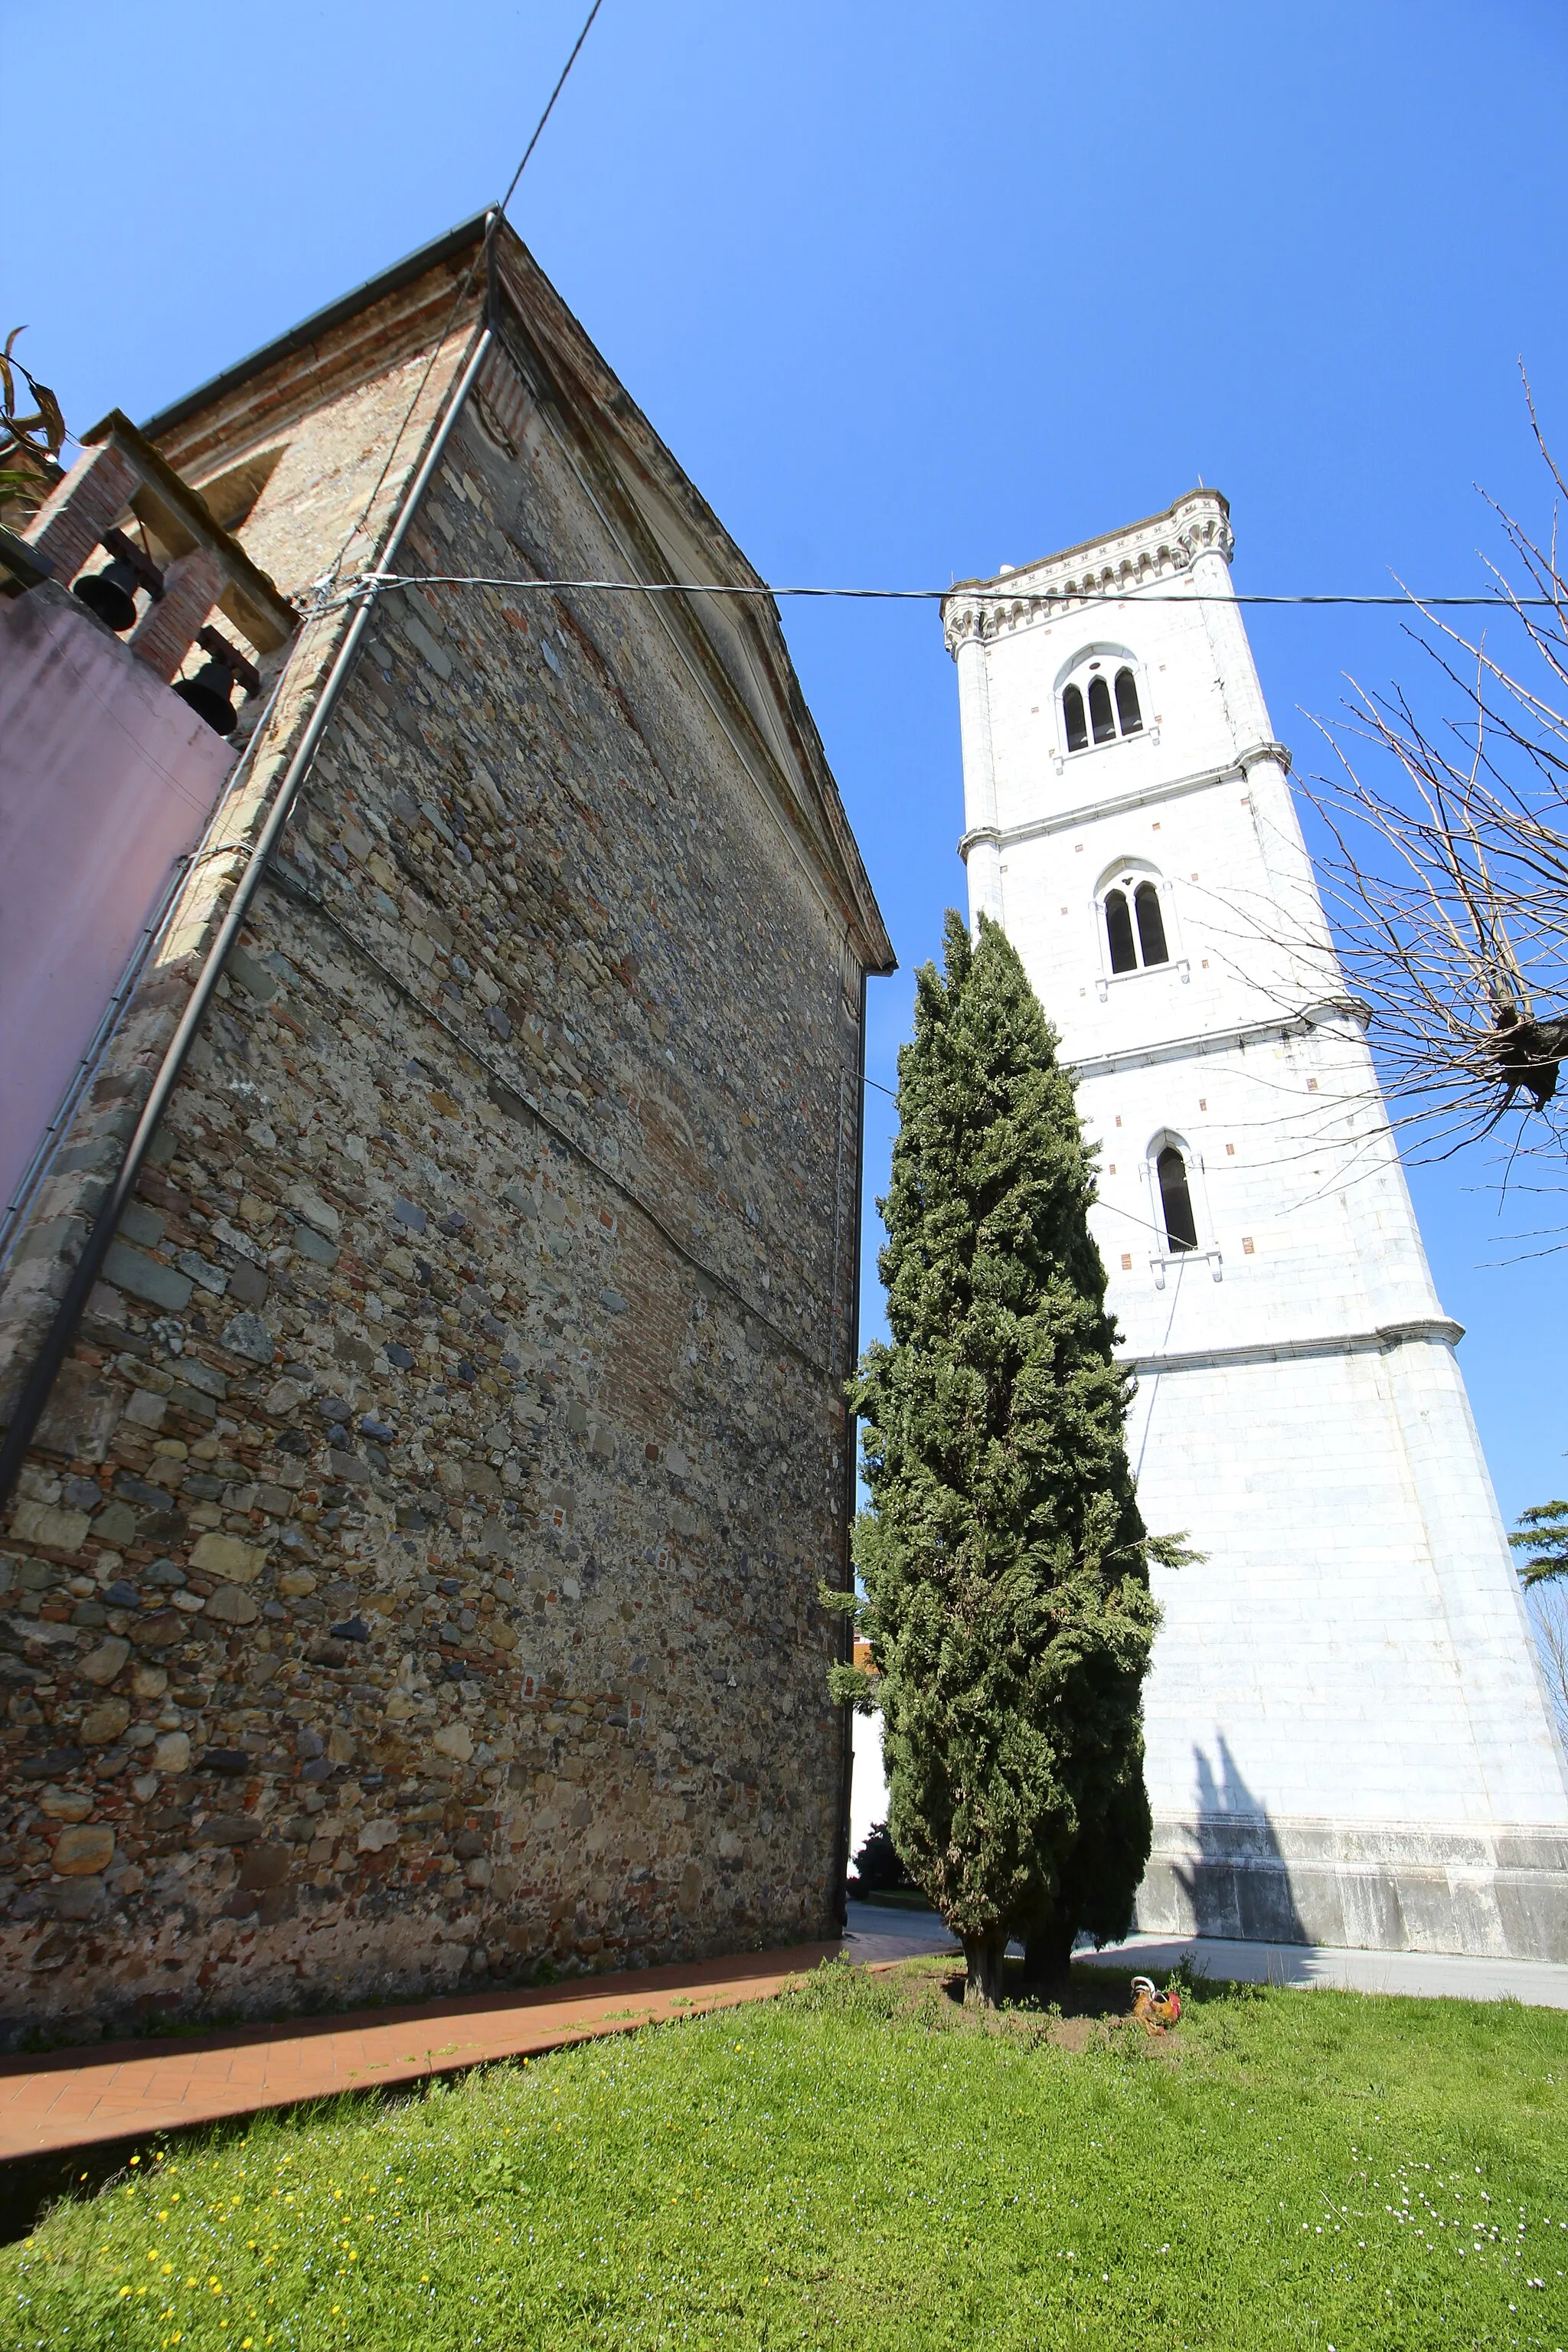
pixel 864 2165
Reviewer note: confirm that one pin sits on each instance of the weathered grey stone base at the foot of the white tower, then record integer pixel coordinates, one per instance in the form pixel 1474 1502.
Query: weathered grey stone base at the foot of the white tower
pixel 1391 1887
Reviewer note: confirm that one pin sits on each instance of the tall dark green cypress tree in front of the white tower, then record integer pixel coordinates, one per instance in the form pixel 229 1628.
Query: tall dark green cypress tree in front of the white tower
pixel 1005 1563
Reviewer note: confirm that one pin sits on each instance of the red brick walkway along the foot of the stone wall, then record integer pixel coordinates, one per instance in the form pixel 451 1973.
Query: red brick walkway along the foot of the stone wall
pixel 121 2090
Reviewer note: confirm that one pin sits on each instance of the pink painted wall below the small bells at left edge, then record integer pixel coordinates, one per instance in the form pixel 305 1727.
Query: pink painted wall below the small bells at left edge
pixel 105 782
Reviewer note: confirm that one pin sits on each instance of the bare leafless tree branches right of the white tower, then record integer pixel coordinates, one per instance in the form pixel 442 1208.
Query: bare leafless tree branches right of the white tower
pixel 1447 869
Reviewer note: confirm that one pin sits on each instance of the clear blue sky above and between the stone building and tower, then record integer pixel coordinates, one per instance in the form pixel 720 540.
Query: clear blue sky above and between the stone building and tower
pixel 911 293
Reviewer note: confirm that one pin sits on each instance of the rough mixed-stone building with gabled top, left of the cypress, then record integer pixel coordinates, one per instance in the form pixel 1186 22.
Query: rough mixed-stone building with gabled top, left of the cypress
pixel 417 1572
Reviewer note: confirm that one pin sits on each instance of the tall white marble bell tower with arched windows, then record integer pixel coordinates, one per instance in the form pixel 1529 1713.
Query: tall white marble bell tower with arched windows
pixel 1348 1737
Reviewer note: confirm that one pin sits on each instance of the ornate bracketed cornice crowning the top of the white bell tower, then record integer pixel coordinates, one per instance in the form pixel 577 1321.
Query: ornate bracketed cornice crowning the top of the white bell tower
pixel 1115 566
